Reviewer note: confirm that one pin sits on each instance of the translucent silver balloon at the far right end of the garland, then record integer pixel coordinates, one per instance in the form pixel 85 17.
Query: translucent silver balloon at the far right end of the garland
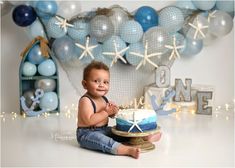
pixel 221 24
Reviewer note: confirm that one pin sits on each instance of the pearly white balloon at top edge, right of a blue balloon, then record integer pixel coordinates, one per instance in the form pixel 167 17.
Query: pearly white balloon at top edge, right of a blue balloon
pixel 68 9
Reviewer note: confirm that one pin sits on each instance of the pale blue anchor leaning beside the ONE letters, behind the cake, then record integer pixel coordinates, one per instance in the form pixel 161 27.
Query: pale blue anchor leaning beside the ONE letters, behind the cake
pixel 159 109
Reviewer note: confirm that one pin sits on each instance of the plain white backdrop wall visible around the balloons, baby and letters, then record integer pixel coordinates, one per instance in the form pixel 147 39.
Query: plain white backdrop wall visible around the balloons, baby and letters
pixel 214 65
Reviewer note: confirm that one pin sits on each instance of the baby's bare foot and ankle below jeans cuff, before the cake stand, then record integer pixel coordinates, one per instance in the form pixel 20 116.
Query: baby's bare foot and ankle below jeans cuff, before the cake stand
pixel 129 151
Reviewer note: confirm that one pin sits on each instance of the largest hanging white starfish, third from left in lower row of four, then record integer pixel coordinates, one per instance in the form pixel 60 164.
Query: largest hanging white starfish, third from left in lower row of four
pixel 146 57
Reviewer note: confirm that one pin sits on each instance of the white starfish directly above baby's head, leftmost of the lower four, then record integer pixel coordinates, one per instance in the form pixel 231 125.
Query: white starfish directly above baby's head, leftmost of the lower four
pixel 86 49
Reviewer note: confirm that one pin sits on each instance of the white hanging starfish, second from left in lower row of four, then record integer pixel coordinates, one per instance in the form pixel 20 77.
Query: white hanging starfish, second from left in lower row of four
pixel 117 54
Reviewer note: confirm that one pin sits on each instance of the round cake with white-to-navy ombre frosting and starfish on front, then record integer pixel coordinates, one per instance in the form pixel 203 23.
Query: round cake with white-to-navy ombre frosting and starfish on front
pixel 136 120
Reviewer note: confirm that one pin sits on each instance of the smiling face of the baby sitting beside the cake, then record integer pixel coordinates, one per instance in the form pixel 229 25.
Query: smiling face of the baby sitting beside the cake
pixel 97 83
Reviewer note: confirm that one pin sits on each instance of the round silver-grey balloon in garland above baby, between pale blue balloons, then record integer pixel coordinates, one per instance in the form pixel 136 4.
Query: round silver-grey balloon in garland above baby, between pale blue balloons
pixel 101 28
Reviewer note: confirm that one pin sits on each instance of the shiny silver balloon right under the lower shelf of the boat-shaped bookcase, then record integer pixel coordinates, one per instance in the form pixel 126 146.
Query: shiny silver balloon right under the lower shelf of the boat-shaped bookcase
pixel 47 85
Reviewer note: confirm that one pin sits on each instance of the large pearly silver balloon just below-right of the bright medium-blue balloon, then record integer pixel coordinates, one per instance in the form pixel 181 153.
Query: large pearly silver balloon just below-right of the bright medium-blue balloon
pixel 157 38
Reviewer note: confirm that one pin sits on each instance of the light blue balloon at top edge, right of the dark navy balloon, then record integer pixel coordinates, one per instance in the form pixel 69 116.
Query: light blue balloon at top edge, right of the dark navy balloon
pixel 46 9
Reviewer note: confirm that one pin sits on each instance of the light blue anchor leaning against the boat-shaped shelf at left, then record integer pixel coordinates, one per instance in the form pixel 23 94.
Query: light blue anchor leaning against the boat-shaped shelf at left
pixel 29 111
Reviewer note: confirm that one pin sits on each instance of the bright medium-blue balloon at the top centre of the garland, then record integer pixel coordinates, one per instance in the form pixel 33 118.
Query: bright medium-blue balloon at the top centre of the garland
pixel 147 17
